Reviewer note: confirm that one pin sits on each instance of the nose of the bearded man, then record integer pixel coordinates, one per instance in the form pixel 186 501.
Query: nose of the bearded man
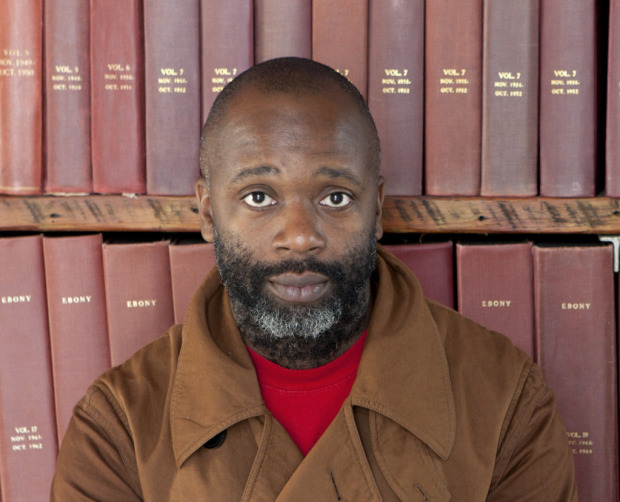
pixel 299 230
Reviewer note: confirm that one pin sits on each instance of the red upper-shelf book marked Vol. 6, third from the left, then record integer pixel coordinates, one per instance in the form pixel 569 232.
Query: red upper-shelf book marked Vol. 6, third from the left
pixel 117 105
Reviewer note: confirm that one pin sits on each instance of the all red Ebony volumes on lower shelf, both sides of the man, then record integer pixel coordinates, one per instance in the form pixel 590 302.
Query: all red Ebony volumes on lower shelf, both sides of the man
pixel 70 307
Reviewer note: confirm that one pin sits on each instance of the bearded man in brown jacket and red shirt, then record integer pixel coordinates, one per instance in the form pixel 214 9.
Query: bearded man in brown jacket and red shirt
pixel 314 369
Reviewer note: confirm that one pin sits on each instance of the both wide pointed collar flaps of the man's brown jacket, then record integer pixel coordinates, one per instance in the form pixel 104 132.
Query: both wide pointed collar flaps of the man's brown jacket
pixel 215 384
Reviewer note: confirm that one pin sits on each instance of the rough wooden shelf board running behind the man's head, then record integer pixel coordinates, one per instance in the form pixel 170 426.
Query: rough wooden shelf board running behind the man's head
pixel 482 215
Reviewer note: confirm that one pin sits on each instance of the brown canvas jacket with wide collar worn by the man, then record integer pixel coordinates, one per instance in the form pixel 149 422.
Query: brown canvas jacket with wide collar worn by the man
pixel 442 409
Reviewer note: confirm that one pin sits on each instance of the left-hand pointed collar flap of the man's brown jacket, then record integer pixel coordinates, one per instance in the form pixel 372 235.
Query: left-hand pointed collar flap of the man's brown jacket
pixel 215 385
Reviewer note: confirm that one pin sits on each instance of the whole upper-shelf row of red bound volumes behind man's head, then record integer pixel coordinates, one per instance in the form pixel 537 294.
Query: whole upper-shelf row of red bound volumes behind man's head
pixel 492 98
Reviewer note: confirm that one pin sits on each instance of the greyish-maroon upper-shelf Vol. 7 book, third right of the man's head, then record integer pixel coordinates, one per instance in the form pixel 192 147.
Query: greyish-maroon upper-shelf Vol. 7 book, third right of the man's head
pixel 510 98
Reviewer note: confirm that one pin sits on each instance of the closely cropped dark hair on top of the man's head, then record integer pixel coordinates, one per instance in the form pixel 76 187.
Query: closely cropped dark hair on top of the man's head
pixel 292 76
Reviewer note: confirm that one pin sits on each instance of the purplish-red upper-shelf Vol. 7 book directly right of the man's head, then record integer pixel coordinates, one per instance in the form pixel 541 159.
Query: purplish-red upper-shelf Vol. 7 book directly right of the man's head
pixel 396 90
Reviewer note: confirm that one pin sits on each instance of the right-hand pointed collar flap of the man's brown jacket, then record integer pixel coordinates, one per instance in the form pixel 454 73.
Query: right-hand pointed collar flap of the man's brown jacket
pixel 404 373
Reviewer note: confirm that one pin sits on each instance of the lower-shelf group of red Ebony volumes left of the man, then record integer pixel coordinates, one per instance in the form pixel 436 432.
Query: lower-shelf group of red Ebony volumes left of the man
pixel 70 307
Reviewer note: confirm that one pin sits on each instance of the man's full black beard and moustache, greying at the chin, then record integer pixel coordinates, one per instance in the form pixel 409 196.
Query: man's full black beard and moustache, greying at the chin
pixel 295 335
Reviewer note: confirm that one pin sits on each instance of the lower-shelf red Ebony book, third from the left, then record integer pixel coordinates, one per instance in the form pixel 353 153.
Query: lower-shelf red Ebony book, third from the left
pixel 138 295
